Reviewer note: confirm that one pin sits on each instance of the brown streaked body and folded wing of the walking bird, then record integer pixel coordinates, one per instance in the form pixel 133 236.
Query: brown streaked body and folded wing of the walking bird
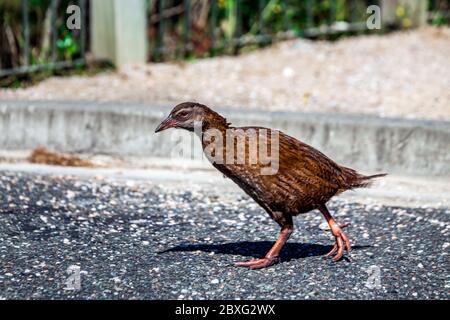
pixel 290 174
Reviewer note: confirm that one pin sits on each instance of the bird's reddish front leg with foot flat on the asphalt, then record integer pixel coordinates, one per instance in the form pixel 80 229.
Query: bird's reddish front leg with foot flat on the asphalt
pixel 272 256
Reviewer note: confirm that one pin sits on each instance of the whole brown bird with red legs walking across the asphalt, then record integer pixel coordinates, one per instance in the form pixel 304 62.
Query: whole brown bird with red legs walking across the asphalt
pixel 295 178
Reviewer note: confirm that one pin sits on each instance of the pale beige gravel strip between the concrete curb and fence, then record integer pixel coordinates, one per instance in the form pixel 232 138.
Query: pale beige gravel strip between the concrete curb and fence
pixel 404 74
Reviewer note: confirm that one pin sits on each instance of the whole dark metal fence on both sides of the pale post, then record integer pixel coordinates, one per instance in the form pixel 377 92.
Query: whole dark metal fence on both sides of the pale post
pixel 201 28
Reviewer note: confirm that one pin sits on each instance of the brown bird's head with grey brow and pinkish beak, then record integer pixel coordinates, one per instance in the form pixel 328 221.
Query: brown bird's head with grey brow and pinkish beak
pixel 188 115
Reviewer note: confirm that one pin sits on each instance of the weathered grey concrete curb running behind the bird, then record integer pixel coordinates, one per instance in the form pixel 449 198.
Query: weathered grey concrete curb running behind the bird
pixel 367 143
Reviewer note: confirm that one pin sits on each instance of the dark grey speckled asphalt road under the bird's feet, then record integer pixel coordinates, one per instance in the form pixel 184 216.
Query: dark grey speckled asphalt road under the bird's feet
pixel 94 238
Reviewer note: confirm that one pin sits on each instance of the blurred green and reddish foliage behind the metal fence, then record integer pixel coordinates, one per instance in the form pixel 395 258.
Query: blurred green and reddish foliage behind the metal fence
pixel 188 29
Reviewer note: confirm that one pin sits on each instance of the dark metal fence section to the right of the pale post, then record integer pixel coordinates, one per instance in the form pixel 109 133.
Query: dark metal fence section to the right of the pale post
pixel 311 18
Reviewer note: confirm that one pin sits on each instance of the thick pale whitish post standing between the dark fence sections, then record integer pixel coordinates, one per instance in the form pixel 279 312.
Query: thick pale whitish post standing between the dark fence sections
pixel 118 31
